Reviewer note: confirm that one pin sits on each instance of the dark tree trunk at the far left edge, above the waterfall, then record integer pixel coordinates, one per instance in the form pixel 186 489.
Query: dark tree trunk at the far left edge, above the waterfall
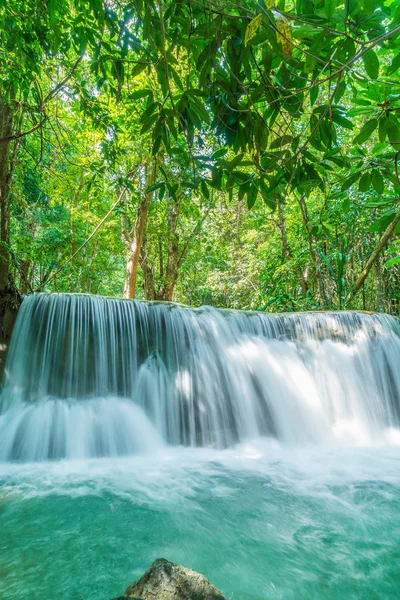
pixel 5 184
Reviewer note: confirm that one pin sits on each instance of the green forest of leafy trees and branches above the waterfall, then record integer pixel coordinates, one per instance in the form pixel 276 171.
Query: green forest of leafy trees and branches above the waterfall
pixel 240 154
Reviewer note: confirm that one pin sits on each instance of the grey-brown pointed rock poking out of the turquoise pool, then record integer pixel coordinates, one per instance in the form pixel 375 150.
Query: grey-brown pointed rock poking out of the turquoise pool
pixel 167 581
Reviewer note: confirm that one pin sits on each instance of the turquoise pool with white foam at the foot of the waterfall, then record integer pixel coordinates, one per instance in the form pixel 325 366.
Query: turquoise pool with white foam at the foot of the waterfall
pixel 260 521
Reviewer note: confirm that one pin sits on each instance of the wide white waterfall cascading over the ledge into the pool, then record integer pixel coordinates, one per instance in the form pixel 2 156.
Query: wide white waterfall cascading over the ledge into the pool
pixel 89 376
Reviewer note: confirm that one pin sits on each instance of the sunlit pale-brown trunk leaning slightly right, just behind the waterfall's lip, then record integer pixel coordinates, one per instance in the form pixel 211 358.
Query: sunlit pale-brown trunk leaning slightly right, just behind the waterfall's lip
pixel 135 243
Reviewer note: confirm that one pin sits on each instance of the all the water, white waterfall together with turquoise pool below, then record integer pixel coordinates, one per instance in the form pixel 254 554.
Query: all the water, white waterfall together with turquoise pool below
pixel 261 450
